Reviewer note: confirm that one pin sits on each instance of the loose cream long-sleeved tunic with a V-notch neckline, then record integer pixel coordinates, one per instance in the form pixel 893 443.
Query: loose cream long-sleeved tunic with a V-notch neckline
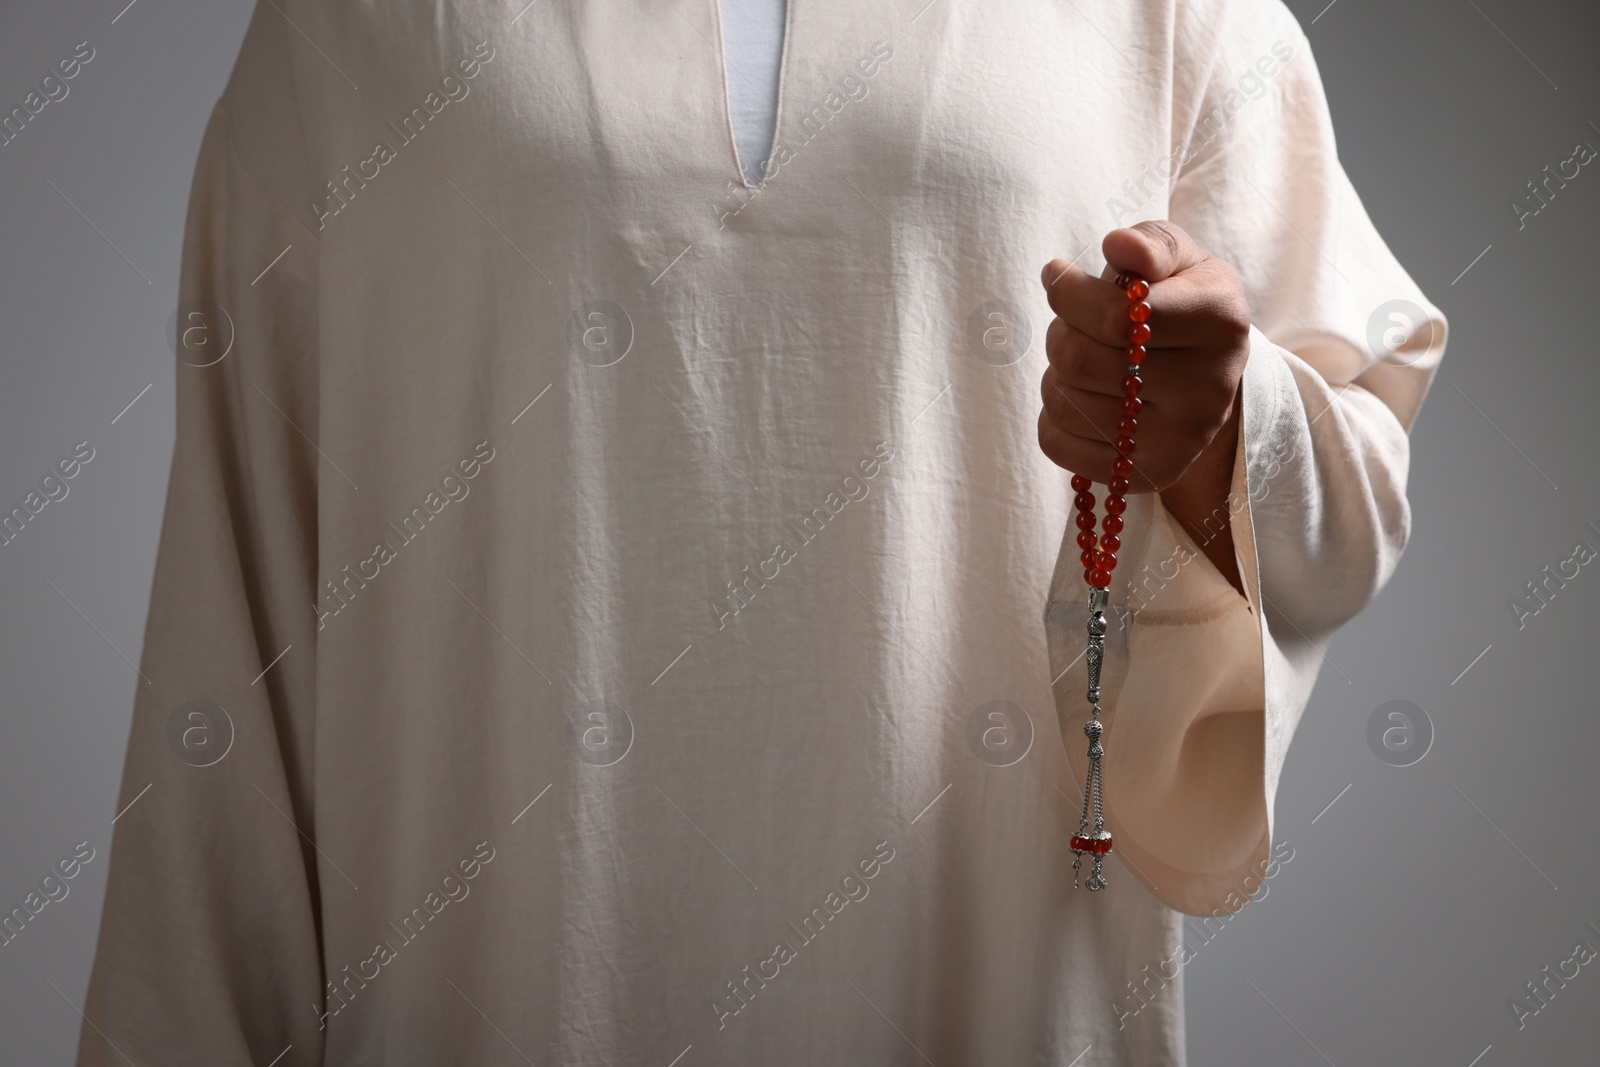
pixel 652 553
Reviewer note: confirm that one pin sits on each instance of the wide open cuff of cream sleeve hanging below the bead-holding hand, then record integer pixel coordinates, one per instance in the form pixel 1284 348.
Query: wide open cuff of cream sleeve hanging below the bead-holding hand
pixel 1188 775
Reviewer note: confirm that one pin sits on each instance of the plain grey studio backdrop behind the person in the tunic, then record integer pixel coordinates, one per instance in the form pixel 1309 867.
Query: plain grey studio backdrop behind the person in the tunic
pixel 1415 906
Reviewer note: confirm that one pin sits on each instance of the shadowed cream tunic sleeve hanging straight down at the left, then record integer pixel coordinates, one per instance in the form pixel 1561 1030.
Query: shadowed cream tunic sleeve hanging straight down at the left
pixel 209 948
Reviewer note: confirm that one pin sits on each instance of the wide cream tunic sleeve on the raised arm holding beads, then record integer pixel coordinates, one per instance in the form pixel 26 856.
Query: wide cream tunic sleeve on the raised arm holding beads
pixel 1343 351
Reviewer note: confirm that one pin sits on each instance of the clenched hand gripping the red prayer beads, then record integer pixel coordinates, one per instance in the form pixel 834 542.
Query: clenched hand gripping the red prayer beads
pixel 1198 351
